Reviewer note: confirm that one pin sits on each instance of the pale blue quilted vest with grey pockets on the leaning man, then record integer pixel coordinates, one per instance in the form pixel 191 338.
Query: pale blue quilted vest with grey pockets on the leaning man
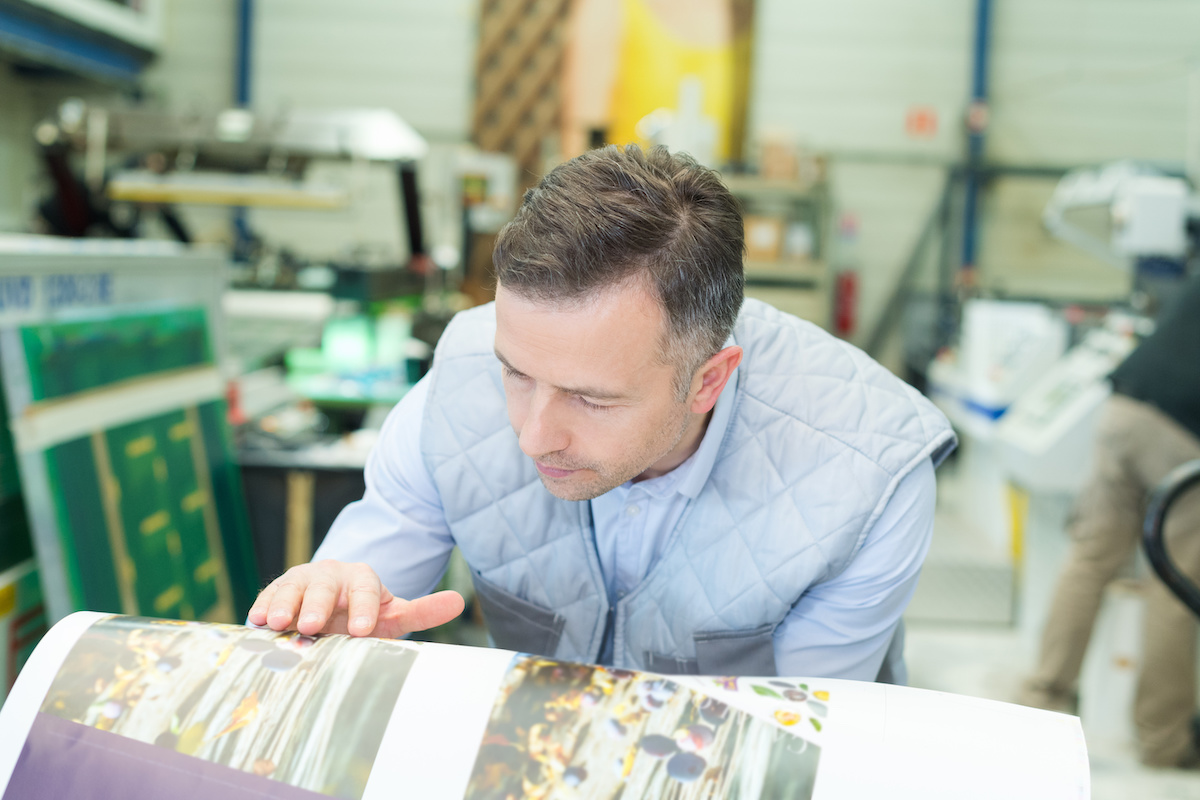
pixel 819 440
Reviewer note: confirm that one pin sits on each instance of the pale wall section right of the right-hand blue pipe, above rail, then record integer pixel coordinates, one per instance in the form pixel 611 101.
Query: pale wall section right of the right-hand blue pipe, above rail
pixel 1090 81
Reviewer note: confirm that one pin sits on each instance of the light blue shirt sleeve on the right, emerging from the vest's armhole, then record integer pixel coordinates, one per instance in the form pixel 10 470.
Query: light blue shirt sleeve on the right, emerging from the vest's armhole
pixel 843 628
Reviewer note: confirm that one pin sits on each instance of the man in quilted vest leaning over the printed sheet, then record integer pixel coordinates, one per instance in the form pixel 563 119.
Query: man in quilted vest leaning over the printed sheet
pixel 640 471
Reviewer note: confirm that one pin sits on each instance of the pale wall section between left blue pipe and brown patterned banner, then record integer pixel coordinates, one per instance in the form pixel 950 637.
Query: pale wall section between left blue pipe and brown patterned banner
pixel 413 57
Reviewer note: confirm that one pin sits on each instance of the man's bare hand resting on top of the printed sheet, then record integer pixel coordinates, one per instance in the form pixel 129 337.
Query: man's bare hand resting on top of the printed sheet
pixel 337 598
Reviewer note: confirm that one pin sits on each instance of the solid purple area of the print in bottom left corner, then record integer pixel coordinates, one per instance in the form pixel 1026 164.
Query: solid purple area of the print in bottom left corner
pixel 68 760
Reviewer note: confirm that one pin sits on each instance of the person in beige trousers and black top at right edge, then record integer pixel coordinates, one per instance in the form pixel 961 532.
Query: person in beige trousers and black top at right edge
pixel 1150 426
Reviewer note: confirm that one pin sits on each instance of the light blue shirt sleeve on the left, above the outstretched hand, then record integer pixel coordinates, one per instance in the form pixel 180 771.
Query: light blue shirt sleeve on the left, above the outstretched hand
pixel 399 527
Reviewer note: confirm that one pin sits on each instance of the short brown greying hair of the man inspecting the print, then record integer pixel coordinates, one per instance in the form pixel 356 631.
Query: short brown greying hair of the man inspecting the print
pixel 616 216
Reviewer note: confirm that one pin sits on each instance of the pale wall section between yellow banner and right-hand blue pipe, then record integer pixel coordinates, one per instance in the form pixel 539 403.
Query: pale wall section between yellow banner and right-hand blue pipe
pixel 841 76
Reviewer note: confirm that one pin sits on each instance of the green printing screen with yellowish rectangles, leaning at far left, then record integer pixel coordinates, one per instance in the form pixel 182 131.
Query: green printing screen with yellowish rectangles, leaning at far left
pixel 151 515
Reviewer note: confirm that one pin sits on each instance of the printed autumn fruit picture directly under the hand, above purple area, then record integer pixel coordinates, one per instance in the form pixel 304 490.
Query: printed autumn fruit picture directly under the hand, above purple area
pixel 286 707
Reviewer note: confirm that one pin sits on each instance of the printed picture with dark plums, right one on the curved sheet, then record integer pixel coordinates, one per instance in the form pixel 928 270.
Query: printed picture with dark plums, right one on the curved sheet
pixel 574 731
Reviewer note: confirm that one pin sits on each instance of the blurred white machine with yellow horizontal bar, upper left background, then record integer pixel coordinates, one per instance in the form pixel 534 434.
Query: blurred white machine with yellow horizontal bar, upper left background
pixel 328 187
